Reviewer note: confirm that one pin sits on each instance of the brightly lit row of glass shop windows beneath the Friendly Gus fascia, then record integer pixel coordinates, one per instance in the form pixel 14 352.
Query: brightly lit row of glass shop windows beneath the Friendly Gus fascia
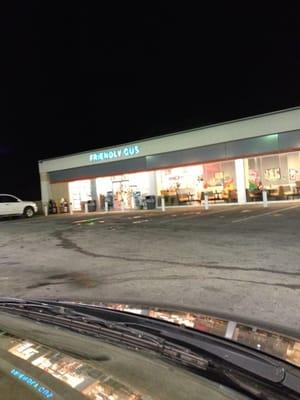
pixel 224 181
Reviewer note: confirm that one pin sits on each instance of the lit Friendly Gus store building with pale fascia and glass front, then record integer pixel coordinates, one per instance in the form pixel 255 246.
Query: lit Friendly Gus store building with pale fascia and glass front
pixel 231 162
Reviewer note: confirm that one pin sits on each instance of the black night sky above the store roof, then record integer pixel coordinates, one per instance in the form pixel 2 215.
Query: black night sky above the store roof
pixel 76 77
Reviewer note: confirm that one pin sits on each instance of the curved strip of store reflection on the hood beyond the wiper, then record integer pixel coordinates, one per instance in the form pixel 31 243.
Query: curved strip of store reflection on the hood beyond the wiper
pixel 283 347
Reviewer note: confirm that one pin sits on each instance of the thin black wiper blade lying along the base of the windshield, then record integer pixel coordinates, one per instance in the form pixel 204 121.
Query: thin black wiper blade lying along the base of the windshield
pixel 118 332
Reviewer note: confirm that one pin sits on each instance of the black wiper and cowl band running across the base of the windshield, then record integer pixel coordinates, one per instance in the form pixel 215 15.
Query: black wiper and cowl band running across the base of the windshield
pixel 237 365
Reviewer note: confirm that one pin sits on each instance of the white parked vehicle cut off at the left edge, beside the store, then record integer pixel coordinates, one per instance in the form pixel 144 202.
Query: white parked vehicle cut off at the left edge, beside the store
pixel 11 205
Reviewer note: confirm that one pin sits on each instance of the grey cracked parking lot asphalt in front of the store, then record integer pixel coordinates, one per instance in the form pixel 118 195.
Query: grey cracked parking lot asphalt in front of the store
pixel 241 261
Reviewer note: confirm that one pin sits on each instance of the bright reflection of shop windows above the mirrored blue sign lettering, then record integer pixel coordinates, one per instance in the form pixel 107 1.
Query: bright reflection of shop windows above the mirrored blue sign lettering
pixel 91 382
